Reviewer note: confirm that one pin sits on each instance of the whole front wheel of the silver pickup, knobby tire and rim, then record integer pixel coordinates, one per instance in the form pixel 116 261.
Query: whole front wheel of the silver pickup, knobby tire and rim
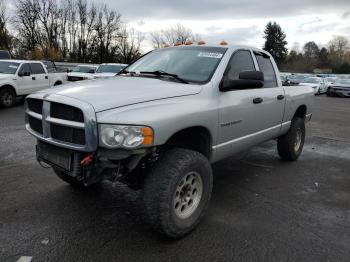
pixel 177 192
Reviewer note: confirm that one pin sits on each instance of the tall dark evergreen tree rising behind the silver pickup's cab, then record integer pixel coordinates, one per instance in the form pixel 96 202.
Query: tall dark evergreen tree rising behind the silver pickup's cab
pixel 275 42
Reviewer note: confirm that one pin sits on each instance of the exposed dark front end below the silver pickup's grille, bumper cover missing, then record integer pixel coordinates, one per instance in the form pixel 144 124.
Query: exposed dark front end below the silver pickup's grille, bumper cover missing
pixel 92 167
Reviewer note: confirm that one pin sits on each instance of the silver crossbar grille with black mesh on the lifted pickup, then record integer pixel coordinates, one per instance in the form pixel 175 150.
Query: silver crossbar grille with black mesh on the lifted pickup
pixel 60 124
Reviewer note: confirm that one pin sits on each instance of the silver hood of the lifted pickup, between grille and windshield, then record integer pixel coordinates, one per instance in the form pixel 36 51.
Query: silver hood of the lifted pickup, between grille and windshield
pixel 104 94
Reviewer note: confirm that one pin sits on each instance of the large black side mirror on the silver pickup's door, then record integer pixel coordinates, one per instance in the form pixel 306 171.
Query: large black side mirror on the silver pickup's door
pixel 247 80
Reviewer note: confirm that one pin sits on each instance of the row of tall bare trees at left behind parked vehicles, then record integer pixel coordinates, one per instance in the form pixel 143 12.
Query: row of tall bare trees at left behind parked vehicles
pixel 68 30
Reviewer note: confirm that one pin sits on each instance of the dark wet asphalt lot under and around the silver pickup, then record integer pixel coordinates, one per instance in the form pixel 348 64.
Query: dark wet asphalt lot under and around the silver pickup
pixel 262 209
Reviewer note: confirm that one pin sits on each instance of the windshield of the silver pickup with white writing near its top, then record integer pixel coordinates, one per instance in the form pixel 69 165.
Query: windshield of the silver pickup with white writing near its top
pixel 191 63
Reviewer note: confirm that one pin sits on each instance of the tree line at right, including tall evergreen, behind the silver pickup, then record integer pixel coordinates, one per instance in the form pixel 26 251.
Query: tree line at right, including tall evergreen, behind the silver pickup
pixel 333 58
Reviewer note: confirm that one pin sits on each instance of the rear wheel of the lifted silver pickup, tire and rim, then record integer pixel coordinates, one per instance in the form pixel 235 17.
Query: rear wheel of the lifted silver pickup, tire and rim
pixel 288 145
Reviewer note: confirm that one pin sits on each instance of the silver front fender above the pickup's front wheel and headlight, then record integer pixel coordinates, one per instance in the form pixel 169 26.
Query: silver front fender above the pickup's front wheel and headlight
pixel 167 116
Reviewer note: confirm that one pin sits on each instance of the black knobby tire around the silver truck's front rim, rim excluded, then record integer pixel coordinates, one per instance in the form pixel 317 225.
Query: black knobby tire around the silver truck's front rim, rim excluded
pixel 161 185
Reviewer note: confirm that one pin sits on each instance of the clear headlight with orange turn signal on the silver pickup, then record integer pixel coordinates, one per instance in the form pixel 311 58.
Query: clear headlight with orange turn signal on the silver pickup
pixel 115 136
